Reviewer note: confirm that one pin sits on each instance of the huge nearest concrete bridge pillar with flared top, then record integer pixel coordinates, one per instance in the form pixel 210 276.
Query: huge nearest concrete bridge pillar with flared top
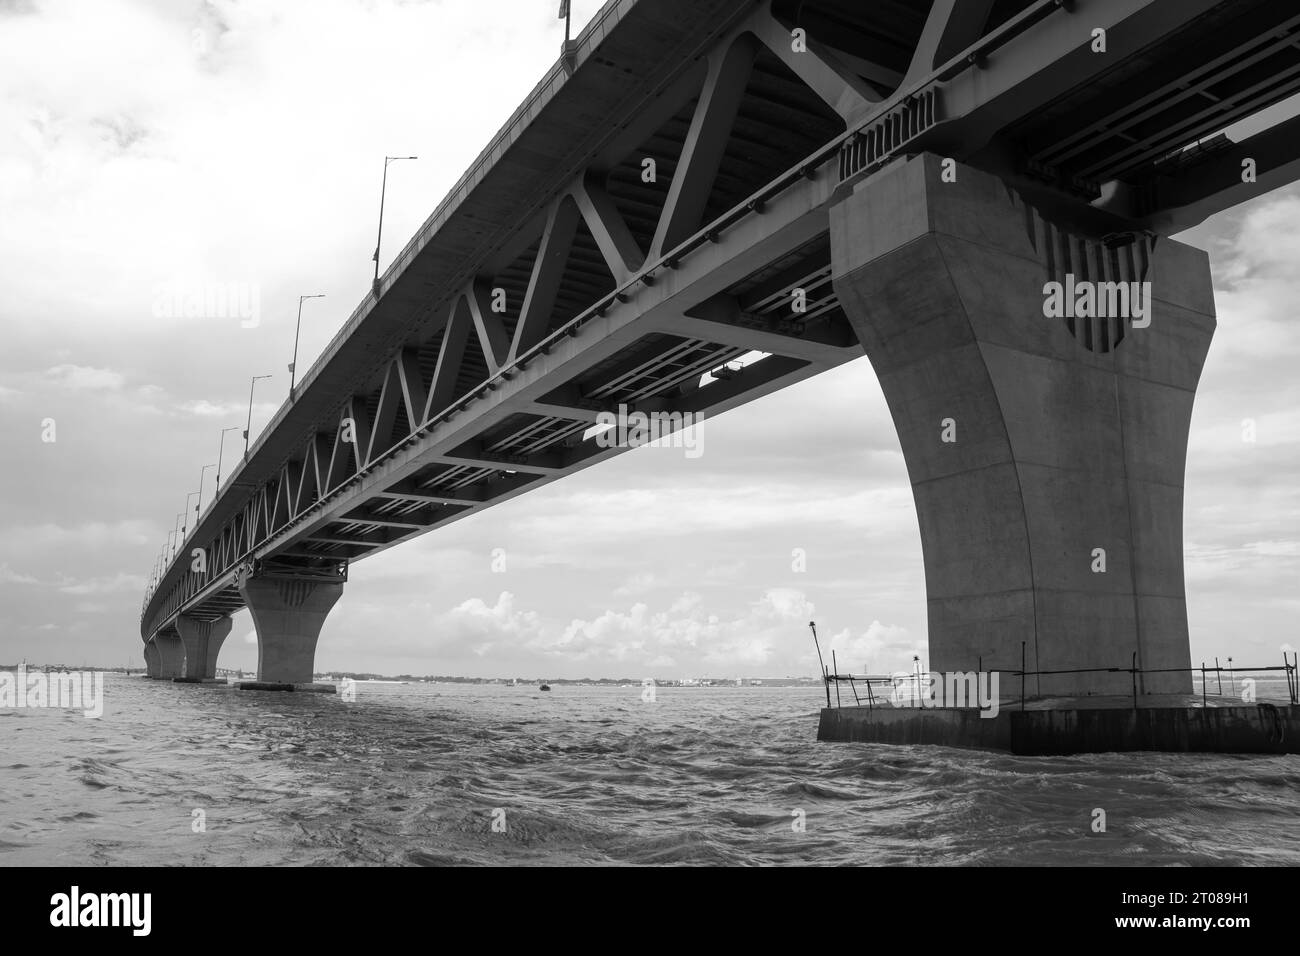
pixel 1046 455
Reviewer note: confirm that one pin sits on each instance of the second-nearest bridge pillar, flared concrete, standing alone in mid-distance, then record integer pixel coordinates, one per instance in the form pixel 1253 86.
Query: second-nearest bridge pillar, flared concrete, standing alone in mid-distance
pixel 288 613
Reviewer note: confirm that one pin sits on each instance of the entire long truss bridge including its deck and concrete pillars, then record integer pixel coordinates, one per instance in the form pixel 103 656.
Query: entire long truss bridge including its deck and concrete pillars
pixel 708 201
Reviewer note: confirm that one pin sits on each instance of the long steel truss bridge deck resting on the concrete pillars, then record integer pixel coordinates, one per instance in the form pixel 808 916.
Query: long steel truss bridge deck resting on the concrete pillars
pixel 621 292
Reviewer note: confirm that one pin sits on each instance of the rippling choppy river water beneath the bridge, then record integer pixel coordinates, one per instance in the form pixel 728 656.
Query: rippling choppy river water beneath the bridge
pixel 414 775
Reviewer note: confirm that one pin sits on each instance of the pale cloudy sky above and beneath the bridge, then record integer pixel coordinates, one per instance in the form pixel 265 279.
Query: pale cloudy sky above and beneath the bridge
pixel 154 145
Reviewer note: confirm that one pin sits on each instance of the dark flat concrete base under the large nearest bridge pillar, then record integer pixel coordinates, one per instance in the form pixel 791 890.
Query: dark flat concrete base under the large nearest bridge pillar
pixel 1063 726
